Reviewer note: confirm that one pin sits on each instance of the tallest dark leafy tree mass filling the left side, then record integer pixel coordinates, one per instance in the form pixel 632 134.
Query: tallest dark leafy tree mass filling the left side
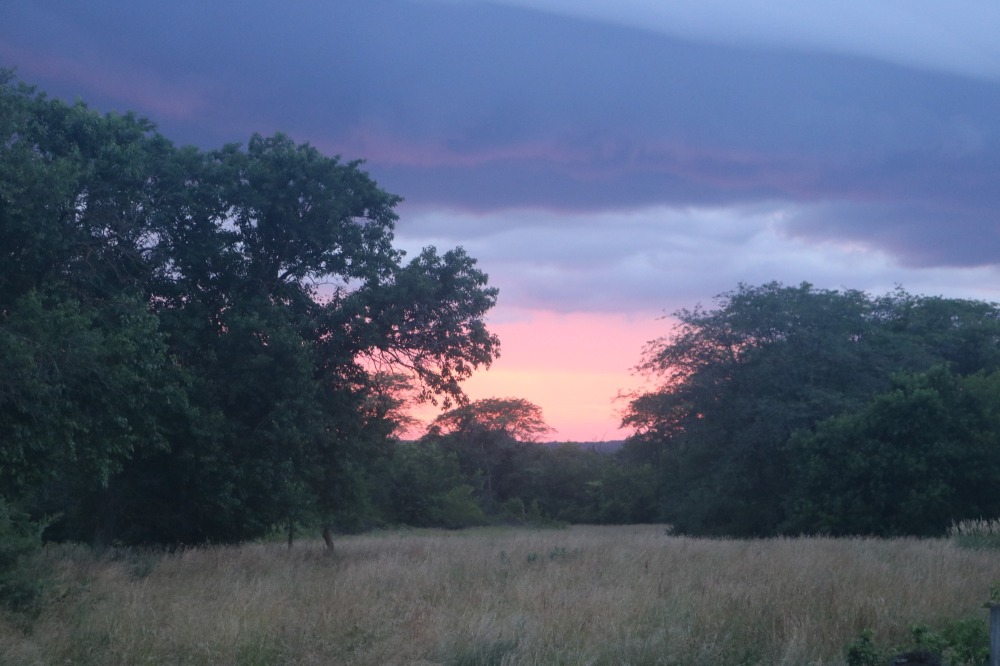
pixel 234 311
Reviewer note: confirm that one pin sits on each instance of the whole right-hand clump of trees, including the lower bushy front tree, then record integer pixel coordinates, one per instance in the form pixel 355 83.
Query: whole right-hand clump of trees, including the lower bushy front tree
pixel 792 410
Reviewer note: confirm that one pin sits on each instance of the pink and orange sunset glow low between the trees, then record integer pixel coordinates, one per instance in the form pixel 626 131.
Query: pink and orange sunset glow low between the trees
pixel 571 365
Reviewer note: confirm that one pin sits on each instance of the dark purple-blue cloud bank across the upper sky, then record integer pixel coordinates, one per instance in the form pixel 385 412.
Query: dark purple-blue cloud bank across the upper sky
pixel 577 108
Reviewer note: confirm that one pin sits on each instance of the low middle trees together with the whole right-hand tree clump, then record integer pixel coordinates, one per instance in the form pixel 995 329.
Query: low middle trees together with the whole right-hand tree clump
pixel 780 410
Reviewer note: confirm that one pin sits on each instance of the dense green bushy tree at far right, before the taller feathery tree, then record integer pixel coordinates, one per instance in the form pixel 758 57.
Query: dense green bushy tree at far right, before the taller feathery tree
pixel 912 462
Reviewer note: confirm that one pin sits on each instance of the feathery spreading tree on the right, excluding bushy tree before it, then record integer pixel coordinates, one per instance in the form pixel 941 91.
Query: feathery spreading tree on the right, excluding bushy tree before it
pixel 738 380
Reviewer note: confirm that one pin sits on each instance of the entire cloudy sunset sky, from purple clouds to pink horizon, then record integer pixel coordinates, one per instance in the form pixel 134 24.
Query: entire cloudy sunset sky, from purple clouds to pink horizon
pixel 606 163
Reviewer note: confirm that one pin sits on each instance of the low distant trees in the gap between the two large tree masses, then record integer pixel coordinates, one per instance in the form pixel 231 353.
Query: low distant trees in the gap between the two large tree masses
pixel 482 463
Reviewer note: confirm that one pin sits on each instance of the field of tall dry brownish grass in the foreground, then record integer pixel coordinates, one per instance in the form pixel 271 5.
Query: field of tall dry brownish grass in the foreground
pixel 583 595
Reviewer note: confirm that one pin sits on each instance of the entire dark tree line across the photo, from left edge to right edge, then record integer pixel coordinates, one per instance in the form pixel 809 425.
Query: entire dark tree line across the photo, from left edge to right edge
pixel 210 346
